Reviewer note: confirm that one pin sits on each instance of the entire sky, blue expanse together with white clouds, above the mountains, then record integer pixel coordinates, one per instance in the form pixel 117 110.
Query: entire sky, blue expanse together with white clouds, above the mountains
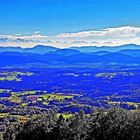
pixel 29 22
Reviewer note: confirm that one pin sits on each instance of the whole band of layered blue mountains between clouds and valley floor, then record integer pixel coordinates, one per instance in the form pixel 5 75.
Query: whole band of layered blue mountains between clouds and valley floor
pixel 49 56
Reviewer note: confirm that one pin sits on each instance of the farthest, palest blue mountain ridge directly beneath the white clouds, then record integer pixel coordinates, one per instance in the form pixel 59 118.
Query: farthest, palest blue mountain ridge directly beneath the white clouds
pixel 85 49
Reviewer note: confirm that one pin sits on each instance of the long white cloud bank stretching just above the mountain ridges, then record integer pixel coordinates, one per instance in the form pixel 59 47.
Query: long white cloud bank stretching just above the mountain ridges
pixel 103 37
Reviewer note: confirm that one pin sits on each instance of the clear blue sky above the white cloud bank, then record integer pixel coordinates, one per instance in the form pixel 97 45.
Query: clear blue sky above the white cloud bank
pixel 52 17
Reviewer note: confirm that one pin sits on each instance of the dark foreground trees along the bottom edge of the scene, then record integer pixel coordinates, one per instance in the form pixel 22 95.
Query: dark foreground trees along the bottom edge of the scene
pixel 113 124
